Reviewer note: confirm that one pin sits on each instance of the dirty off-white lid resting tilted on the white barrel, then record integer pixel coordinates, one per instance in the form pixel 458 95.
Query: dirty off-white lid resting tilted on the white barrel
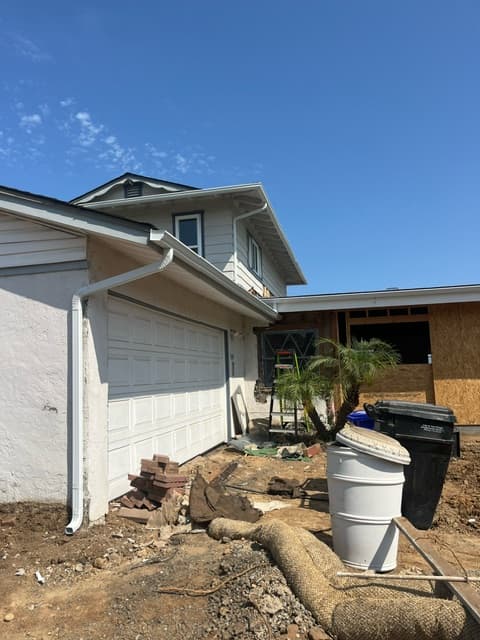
pixel 373 443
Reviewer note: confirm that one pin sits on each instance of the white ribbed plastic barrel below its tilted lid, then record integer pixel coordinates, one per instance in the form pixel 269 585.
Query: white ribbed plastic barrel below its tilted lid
pixel 365 493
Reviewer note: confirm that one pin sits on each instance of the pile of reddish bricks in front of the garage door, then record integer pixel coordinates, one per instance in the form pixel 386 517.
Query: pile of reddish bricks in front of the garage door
pixel 158 481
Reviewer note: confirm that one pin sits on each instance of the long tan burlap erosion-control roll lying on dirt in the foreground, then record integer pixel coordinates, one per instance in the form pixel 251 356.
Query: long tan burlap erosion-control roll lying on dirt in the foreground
pixel 347 608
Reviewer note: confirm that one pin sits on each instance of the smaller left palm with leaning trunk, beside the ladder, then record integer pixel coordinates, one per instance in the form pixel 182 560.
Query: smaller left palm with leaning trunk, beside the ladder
pixel 302 387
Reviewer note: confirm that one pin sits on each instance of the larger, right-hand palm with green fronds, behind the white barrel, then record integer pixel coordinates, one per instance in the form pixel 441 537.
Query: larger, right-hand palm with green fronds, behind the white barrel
pixel 352 366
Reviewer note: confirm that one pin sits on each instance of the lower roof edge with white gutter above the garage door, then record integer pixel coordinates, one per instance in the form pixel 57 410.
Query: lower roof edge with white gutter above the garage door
pixel 144 238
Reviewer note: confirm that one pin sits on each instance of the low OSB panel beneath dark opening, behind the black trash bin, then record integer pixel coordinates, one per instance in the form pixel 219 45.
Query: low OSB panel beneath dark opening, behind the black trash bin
pixel 409 382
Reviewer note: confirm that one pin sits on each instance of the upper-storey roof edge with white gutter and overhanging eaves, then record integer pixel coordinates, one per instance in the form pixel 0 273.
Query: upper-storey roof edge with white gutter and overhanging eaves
pixel 248 197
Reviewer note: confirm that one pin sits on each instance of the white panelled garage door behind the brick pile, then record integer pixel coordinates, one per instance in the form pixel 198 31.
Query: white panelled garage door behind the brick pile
pixel 167 389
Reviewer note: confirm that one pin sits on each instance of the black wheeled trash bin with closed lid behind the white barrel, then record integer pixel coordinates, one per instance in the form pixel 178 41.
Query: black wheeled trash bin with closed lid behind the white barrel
pixel 427 432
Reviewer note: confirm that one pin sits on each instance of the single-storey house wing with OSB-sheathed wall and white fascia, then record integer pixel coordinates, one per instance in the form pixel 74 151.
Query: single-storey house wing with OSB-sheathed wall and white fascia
pixel 436 330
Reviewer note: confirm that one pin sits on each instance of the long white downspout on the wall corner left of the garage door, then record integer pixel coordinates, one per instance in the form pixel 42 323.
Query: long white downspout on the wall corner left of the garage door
pixel 77 375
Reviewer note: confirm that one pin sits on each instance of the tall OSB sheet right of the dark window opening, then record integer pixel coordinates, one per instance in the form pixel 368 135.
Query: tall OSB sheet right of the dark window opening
pixel 455 340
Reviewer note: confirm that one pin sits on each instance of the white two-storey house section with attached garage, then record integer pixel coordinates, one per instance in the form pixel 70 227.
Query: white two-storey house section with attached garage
pixel 127 319
